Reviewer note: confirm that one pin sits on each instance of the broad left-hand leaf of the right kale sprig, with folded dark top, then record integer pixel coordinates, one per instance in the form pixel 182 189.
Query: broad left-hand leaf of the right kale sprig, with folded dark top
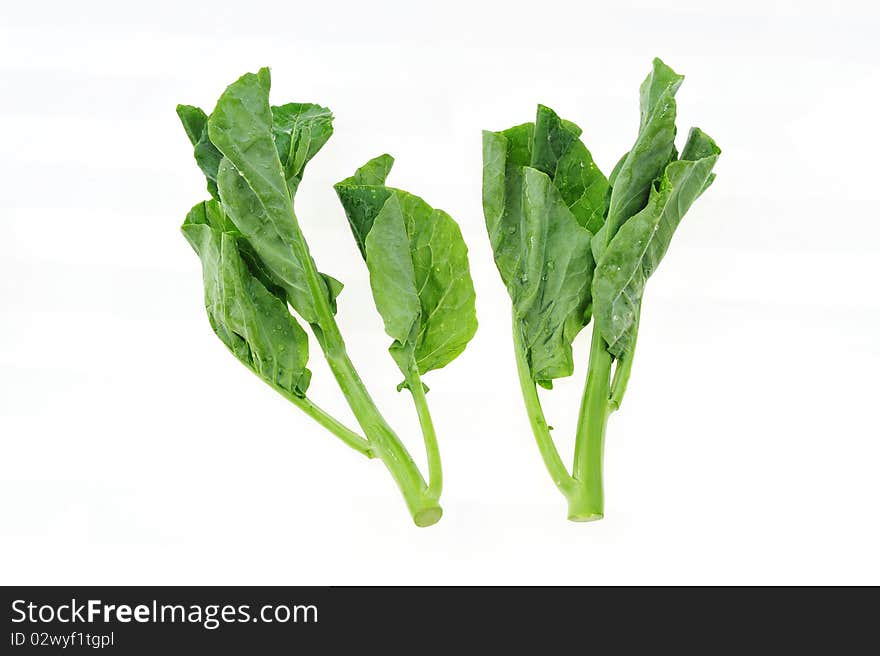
pixel 541 193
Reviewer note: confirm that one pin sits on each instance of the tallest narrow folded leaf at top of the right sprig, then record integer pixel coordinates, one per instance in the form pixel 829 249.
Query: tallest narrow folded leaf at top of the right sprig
pixel 652 151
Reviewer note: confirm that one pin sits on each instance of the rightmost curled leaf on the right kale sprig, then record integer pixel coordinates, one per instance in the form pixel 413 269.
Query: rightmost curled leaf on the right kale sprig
pixel 640 243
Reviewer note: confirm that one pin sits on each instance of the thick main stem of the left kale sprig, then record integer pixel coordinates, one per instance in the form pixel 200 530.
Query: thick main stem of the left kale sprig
pixel 424 509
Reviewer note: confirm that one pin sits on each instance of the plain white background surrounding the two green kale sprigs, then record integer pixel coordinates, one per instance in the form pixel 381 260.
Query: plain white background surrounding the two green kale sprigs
pixel 135 449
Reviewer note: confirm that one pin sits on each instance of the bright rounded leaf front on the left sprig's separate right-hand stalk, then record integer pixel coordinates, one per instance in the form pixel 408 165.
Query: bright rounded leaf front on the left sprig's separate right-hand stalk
pixel 421 282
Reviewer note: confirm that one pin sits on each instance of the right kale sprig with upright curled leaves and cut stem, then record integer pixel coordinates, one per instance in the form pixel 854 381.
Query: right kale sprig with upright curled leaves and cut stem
pixel 571 244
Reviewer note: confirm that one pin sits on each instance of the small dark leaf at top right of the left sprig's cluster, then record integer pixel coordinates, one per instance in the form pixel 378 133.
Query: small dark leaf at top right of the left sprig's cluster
pixel 300 130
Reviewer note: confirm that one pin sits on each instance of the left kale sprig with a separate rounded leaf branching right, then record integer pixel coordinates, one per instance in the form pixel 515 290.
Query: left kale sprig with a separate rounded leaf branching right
pixel 256 266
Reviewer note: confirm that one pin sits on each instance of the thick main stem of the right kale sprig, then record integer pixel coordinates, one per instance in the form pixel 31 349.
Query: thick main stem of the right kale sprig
pixel 587 503
